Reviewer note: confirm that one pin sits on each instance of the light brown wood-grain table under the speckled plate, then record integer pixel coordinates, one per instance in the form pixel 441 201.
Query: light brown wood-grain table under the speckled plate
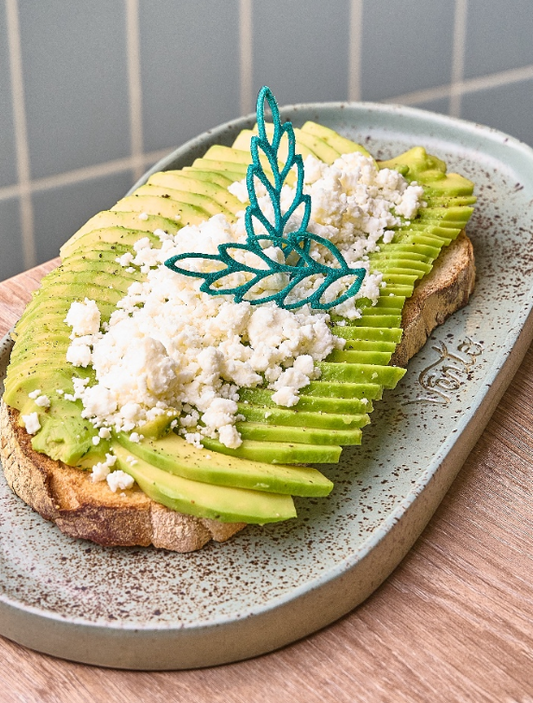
pixel 452 623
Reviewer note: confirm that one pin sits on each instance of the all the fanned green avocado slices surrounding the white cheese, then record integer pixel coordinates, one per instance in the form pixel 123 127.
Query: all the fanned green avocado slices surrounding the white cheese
pixel 254 482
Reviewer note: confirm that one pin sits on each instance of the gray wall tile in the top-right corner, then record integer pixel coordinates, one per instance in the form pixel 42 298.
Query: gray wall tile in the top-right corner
pixel 498 36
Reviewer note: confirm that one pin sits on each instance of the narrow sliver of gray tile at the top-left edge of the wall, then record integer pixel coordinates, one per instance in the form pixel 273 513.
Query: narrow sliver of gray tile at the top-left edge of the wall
pixel 8 166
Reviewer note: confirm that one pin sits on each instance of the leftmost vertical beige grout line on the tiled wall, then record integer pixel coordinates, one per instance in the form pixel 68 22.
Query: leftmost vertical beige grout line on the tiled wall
pixel 21 134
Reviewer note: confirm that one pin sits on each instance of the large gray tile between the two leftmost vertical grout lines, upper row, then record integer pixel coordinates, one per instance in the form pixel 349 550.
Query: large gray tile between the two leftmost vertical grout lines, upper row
pixel 76 83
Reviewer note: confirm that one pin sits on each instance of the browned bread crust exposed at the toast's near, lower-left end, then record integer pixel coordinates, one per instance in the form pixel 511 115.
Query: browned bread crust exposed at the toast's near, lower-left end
pixel 81 508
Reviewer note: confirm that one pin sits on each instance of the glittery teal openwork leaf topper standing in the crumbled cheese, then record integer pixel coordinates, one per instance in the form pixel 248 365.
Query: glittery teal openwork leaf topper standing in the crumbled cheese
pixel 294 247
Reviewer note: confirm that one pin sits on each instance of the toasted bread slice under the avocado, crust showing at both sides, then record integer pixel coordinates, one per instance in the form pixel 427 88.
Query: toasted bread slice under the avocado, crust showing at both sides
pixel 83 509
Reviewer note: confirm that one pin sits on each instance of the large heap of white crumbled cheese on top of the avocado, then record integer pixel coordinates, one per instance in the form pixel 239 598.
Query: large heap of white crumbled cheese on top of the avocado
pixel 170 348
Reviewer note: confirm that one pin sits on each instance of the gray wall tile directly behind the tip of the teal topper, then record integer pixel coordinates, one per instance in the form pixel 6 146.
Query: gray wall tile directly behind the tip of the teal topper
pixel 300 49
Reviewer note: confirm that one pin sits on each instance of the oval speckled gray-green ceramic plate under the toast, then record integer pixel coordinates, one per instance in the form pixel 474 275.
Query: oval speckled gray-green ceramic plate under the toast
pixel 148 609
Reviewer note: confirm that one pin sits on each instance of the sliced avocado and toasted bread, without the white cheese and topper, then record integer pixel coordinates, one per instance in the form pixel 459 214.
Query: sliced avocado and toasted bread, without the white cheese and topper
pixel 218 488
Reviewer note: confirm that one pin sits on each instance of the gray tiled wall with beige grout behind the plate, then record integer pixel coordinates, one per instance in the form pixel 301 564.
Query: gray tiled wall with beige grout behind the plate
pixel 92 93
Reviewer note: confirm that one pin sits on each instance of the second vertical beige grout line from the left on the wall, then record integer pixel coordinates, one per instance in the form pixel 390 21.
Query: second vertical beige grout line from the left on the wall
pixel 134 85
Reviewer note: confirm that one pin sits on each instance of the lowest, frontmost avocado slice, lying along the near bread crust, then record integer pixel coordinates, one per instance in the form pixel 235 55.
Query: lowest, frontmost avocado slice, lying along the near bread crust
pixel 204 500
